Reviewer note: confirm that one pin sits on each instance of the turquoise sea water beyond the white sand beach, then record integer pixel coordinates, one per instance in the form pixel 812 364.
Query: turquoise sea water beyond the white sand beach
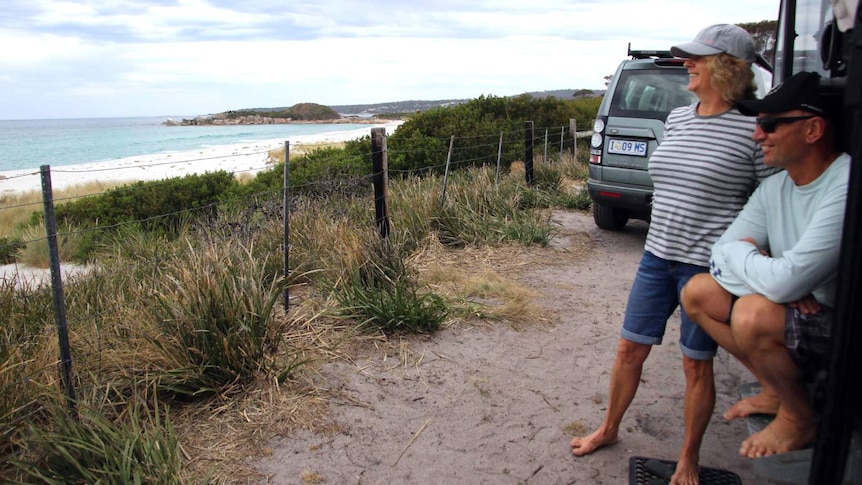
pixel 29 144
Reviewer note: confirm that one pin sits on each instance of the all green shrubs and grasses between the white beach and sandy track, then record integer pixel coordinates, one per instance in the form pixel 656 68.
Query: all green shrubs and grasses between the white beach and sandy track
pixel 181 324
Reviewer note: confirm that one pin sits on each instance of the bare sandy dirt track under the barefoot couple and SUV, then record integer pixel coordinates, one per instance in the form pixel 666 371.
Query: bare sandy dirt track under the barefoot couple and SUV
pixel 495 404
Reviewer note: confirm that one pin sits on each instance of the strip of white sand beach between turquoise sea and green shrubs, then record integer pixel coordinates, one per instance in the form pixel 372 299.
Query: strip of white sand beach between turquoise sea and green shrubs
pixel 237 158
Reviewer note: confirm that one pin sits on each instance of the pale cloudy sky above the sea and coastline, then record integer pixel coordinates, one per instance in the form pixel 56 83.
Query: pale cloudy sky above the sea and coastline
pixel 117 58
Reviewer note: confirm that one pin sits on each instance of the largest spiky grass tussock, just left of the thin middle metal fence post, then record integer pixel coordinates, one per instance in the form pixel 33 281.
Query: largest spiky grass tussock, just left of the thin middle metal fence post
pixel 213 311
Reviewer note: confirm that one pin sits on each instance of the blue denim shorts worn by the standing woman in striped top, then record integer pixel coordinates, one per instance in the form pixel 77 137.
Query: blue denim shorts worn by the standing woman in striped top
pixel 653 299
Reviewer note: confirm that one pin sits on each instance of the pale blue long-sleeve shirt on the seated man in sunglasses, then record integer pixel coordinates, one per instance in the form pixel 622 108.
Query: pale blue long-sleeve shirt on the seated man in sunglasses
pixel 801 228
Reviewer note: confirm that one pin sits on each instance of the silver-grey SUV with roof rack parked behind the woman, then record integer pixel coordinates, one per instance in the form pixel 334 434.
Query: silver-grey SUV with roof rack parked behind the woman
pixel 628 127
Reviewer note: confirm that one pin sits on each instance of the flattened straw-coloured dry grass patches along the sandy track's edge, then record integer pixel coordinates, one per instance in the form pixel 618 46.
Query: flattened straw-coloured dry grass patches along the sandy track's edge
pixel 219 439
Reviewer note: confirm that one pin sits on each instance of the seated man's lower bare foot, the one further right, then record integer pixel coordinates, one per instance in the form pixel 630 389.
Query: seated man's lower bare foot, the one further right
pixel 780 436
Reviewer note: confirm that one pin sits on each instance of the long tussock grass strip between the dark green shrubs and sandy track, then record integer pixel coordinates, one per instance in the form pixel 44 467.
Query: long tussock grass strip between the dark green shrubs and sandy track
pixel 192 321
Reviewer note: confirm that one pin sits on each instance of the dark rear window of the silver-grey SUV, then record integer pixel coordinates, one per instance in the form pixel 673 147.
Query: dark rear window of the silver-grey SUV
pixel 650 93
